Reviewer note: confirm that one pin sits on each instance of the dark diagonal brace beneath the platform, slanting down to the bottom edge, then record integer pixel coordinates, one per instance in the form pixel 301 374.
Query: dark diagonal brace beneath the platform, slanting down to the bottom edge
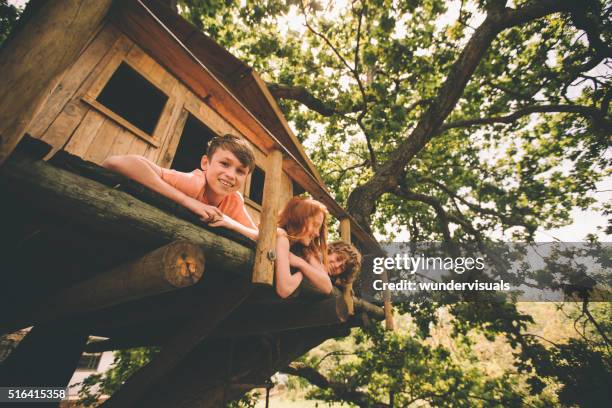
pixel 220 302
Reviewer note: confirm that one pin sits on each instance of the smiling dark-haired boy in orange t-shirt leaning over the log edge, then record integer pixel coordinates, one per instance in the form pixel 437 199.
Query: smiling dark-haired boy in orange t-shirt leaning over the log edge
pixel 212 192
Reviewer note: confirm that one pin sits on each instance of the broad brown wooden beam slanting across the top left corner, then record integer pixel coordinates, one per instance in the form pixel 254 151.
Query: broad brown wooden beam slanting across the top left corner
pixel 32 62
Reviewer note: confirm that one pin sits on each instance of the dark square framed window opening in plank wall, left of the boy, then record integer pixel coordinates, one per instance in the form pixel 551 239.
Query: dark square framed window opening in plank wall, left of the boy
pixel 131 96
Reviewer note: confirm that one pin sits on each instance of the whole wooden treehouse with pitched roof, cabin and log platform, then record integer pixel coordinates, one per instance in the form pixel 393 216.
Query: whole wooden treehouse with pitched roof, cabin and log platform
pixel 87 252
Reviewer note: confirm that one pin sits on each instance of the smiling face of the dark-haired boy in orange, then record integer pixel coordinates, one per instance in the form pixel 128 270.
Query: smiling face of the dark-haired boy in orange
pixel 225 174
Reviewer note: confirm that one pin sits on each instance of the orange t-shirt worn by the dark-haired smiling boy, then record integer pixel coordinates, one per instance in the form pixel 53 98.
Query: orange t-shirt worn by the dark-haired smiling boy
pixel 194 185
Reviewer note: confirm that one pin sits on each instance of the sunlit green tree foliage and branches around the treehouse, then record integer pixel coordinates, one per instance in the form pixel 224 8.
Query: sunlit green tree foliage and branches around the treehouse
pixel 462 126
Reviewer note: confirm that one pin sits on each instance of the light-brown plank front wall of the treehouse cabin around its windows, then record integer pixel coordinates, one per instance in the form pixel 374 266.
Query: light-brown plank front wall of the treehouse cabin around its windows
pixel 74 121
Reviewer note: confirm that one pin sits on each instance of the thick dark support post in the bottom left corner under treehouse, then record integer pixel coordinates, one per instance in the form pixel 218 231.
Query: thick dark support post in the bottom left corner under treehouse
pixel 47 356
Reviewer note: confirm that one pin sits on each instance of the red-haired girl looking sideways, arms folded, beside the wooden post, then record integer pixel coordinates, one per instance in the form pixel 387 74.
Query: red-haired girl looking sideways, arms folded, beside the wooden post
pixel 302 243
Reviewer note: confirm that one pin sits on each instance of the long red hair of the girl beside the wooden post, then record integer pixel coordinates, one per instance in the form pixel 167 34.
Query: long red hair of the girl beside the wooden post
pixel 294 220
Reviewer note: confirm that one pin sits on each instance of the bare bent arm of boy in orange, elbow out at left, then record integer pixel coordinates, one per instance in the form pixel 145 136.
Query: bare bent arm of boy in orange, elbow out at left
pixel 149 174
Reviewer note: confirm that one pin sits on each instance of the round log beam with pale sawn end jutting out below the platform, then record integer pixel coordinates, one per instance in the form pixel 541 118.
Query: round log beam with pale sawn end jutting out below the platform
pixel 173 266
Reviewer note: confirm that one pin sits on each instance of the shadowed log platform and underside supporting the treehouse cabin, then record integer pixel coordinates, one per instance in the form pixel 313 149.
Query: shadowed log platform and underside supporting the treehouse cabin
pixel 68 224
